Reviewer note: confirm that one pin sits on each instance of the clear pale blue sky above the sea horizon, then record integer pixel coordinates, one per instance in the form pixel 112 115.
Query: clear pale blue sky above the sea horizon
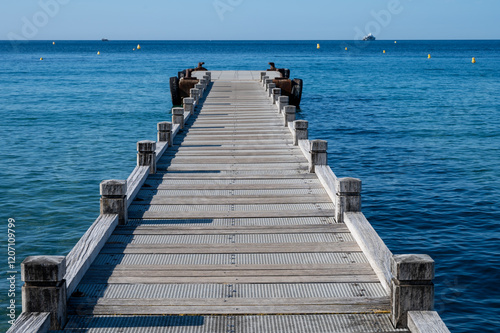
pixel 249 19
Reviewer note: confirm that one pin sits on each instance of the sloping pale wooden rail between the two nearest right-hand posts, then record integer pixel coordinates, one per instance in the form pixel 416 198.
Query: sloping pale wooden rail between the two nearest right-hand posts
pixel 373 247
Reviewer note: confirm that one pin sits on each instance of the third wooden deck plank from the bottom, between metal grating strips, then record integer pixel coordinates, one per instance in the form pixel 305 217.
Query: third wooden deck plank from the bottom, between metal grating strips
pixel 231 248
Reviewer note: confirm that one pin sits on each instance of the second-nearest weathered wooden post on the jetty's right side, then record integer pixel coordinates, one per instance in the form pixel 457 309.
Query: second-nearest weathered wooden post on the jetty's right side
pixel 348 193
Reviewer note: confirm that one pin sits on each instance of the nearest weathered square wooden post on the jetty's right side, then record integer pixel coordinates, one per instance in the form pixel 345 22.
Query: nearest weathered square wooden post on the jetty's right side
pixel 412 287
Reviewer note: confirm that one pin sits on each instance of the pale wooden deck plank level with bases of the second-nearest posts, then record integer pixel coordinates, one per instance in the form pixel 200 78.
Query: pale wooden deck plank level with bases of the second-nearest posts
pixel 230 214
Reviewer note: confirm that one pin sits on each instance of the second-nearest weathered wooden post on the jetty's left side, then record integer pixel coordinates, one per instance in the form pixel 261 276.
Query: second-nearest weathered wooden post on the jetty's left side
pixel 114 199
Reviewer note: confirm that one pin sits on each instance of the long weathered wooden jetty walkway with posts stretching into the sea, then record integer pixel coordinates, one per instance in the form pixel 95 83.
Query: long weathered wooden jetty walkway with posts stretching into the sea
pixel 231 222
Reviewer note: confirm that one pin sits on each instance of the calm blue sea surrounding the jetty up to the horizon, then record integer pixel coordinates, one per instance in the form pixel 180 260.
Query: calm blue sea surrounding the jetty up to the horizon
pixel 423 135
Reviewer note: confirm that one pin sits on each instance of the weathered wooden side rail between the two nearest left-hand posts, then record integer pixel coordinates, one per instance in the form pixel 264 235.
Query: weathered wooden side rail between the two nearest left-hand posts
pixel 86 250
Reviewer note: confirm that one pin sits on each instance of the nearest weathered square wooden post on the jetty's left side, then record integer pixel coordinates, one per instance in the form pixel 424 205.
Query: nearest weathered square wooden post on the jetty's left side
pixel 44 287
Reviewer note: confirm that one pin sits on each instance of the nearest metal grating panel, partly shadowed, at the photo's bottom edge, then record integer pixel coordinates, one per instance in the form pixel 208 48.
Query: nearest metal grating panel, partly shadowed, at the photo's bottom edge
pixel 334 323
